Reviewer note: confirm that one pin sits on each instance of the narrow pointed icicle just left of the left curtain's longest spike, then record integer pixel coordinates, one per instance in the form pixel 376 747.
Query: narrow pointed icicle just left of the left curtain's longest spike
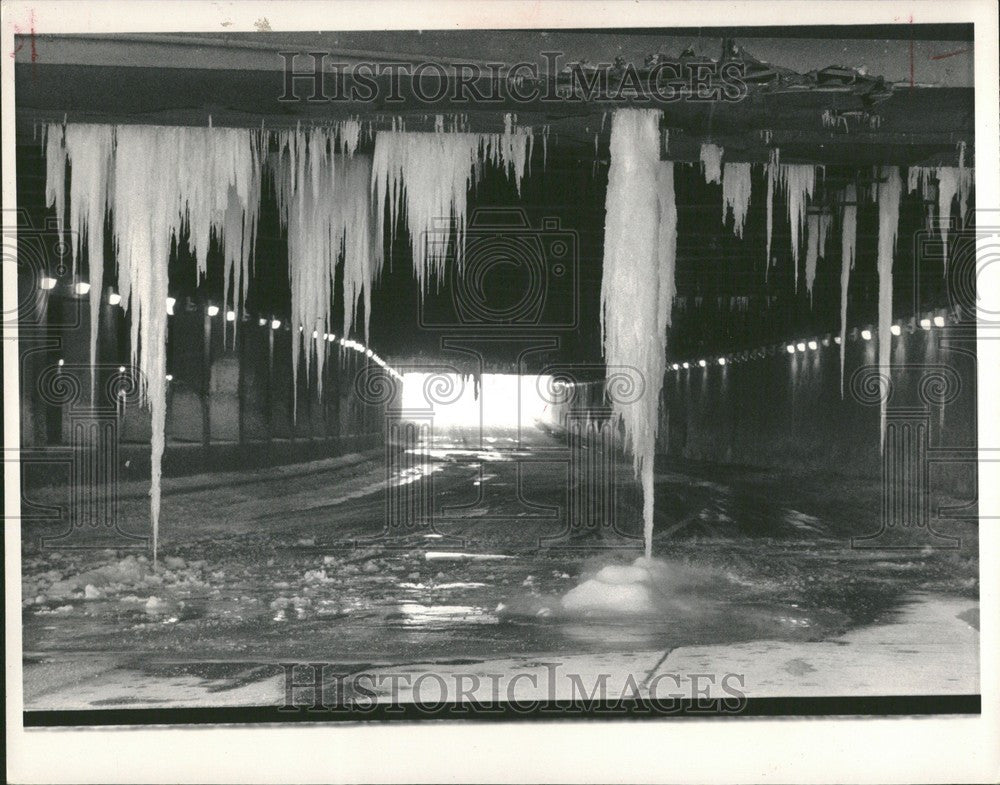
pixel 89 150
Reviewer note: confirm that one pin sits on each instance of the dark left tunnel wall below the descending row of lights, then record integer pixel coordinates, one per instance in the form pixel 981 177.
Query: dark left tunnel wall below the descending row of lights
pixel 229 401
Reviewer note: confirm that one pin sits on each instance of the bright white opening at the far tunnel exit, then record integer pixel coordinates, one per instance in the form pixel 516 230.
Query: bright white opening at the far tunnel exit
pixel 505 400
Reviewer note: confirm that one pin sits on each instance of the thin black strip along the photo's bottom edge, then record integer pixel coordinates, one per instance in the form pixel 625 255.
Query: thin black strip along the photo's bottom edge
pixel 895 705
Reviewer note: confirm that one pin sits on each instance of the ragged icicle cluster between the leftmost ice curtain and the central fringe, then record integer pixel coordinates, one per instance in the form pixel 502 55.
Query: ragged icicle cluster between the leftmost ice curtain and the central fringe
pixel 323 199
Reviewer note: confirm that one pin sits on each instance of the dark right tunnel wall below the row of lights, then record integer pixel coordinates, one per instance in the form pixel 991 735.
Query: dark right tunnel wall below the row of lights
pixel 785 411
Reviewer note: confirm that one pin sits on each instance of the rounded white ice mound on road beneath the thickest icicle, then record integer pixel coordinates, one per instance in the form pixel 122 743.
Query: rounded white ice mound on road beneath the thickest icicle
pixel 617 589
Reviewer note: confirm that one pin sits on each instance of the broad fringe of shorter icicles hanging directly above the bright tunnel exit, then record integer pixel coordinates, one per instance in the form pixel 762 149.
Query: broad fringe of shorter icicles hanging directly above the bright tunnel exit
pixel 432 173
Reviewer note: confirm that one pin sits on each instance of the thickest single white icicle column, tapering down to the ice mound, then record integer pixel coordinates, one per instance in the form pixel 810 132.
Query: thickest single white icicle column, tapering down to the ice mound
pixel 640 236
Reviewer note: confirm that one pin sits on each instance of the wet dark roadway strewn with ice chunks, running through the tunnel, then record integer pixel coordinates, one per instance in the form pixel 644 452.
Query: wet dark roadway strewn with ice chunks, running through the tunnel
pixel 300 567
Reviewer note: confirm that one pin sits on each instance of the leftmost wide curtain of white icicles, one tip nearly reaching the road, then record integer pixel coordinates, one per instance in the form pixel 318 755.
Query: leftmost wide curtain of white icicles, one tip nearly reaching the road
pixel 157 182
